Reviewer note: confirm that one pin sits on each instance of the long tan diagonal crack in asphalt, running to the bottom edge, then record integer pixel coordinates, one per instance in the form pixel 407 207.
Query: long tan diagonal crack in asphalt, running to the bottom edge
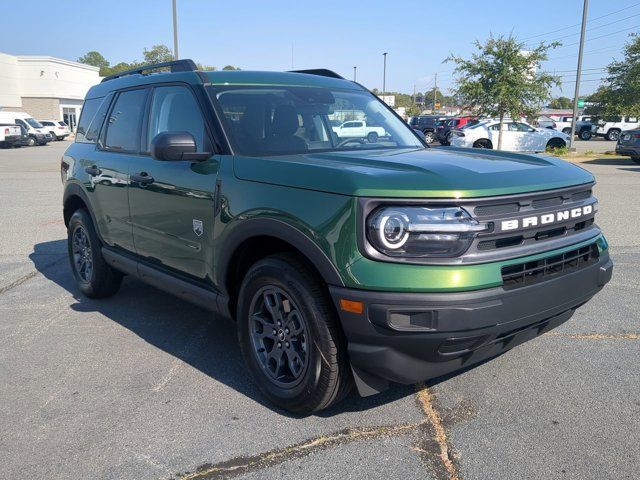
pixel 243 465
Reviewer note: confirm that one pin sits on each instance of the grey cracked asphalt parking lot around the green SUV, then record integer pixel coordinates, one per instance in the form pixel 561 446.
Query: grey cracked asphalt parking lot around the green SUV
pixel 143 385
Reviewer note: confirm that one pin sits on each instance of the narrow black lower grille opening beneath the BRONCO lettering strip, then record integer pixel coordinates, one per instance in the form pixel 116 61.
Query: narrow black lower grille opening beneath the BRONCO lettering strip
pixel 529 273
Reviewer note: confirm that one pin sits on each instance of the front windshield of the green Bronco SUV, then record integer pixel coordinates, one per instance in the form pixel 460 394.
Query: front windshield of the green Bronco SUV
pixel 274 120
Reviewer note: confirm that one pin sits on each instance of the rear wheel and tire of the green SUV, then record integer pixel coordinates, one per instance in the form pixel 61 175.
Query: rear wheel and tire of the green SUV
pixel 94 277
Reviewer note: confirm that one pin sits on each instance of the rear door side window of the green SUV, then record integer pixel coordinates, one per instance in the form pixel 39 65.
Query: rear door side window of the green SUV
pixel 123 124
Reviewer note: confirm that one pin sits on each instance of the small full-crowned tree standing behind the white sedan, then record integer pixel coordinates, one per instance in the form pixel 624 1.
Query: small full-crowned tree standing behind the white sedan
pixel 504 79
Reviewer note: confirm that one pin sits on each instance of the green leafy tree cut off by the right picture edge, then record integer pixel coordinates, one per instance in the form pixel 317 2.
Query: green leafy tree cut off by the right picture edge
pixel 621 93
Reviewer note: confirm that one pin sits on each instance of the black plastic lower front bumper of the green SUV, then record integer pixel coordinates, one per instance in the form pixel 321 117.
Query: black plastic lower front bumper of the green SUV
pixel 411 337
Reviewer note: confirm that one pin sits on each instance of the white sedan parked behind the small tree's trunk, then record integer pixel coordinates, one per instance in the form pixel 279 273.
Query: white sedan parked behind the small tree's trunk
pixel 516 137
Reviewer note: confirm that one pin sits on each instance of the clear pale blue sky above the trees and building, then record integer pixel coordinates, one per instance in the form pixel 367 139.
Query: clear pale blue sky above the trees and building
pixel 338 35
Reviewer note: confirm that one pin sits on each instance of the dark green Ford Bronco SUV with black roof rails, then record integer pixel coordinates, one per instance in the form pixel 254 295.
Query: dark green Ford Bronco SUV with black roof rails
pixel 342 259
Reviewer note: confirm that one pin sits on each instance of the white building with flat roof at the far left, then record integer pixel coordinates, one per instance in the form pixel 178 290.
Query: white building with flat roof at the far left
pixel 45 87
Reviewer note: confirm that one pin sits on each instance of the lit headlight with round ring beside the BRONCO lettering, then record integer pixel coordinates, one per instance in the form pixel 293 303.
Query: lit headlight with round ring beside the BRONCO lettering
pixel 422 231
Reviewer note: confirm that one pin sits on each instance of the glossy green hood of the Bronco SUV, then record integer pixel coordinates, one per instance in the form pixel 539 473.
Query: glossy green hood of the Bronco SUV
pixel 414 173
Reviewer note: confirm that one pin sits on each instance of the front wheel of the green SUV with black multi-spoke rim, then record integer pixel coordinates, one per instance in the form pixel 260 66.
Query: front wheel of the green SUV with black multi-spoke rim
pixel 315 373
